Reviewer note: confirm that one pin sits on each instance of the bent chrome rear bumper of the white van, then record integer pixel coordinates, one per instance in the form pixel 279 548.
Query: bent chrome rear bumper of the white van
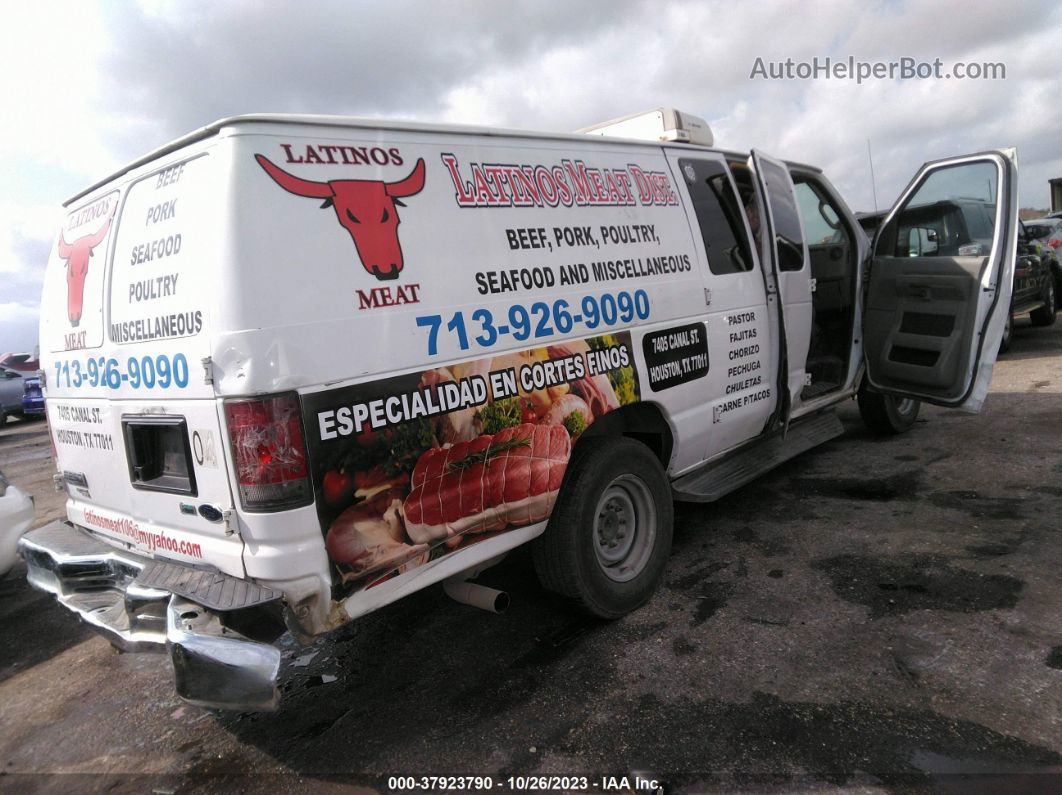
pixel 146 606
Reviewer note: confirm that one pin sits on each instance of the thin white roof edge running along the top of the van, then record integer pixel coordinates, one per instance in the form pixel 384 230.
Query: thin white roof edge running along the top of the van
pixel 354 122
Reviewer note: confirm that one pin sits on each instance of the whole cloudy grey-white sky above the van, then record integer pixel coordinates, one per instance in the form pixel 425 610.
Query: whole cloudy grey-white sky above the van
pixel 89 87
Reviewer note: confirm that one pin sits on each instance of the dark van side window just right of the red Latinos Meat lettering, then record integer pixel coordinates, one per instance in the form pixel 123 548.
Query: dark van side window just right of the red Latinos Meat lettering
pixel 718 215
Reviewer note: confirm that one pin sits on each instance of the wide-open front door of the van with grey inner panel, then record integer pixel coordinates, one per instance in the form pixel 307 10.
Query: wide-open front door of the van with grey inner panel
pixel 940 282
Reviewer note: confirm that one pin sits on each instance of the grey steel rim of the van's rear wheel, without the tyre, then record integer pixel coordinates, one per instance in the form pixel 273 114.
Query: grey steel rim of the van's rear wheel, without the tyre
pixel 625 528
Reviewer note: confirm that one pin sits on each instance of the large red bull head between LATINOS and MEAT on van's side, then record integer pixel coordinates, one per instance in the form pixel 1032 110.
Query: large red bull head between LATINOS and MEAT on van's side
pixel 367 209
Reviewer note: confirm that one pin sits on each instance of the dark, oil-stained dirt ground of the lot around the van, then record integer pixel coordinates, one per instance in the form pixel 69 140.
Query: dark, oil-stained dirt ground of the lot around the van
pixel 877 615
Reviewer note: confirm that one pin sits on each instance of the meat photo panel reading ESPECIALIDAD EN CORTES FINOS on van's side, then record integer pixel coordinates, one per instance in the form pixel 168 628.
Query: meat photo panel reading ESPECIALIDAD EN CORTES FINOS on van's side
pixel 479 447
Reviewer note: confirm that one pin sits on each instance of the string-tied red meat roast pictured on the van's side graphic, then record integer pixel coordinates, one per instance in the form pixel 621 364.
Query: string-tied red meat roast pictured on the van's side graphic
pixel 489 483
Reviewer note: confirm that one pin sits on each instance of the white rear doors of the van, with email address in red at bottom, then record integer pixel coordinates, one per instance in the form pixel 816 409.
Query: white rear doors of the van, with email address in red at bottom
pixel 126 317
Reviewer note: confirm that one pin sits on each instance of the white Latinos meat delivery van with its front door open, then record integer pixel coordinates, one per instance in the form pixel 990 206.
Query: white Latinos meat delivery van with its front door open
pixel 299 368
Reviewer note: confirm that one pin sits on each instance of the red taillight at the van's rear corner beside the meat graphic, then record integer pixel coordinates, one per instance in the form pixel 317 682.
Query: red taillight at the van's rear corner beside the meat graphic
pixel 269 453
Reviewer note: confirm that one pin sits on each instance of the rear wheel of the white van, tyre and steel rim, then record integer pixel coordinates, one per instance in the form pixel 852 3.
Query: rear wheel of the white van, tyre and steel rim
pixel 610 534
